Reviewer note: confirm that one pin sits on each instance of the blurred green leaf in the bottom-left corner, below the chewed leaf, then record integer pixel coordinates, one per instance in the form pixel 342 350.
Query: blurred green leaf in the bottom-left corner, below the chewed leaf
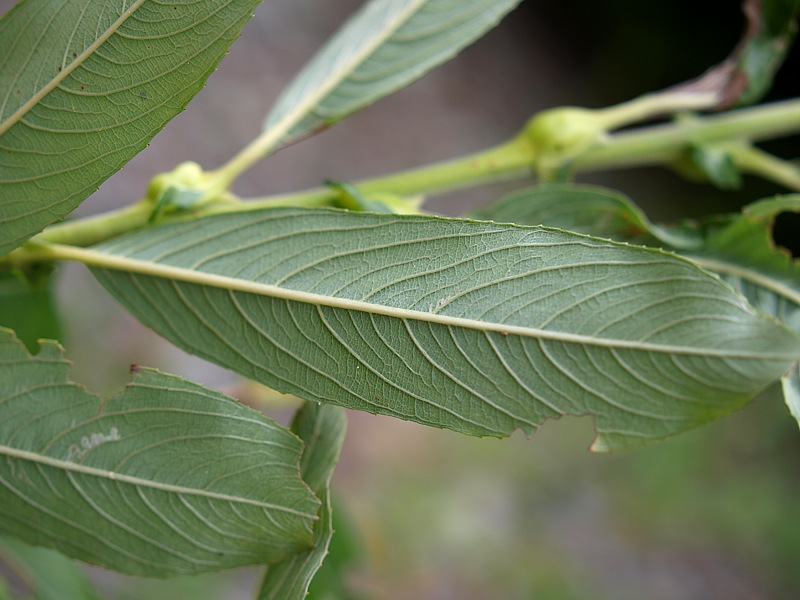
pixel 49 575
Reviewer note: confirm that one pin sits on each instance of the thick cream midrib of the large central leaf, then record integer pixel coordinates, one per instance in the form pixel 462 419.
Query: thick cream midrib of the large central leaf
pixel 94 258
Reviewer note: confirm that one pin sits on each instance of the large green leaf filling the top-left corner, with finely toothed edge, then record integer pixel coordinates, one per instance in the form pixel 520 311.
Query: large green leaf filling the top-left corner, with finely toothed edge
pixel 85 85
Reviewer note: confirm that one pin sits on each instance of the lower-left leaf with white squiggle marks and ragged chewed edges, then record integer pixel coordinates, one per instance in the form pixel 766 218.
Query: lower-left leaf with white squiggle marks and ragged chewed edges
pixel 166 478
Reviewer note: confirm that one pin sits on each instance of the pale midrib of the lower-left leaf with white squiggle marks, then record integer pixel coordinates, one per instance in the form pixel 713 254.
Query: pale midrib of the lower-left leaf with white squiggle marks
pixel 72 467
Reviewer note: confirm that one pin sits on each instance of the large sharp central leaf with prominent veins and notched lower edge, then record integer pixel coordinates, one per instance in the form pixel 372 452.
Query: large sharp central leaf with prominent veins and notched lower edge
pixel 476 327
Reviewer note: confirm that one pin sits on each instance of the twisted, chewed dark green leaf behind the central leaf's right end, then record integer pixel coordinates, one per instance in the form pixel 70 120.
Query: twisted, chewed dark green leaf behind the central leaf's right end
pixel 740 248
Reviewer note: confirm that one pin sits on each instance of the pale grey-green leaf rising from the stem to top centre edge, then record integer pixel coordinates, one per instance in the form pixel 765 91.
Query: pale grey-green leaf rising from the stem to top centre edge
pixel 384 47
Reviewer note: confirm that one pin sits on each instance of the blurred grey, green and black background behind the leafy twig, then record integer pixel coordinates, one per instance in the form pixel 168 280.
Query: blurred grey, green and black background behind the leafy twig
pixel 428 514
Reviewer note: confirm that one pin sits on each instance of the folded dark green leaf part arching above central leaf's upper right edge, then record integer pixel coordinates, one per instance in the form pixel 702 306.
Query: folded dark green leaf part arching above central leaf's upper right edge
pixel 589 209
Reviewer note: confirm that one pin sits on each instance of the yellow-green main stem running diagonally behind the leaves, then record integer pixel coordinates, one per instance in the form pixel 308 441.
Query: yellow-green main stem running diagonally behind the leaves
pixel 654 145
